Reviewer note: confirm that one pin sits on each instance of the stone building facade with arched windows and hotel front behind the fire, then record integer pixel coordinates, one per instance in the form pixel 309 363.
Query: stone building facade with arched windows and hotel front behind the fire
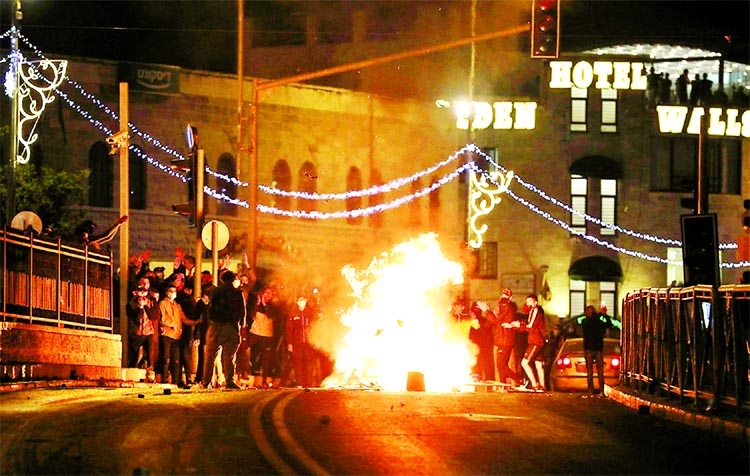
pixel 582 140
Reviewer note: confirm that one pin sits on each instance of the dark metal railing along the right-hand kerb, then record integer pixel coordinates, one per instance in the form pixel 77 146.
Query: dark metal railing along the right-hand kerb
pixel 691 343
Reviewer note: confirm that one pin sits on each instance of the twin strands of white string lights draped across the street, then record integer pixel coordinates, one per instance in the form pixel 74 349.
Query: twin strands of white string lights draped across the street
pixel 391 186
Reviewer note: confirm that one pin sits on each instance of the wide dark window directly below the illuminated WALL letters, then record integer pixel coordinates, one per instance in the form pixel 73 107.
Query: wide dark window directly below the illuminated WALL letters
pixel 675 159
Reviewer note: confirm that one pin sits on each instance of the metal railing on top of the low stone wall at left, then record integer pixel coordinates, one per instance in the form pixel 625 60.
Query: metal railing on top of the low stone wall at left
pixel 50 283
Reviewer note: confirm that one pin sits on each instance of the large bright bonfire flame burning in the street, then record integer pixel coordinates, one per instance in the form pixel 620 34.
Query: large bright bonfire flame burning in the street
pixel 400 322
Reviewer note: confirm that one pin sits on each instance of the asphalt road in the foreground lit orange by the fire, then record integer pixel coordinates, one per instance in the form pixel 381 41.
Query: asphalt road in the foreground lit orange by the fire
pixel 145 431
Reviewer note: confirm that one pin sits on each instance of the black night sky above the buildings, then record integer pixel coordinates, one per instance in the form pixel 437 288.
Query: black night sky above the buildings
pixel 202 34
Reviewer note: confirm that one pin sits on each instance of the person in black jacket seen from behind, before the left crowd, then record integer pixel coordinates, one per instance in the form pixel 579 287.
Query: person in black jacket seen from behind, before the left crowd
pixel 226 313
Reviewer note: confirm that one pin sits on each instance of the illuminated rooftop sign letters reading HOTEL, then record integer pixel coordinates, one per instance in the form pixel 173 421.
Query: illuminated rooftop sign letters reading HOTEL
pixel 602 74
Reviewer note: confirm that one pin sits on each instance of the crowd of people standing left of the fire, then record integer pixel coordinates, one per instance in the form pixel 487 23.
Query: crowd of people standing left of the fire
pixel 239 333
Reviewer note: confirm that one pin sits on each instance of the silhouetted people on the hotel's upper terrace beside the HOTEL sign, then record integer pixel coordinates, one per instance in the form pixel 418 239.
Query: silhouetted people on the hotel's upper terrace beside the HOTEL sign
pixel 696 91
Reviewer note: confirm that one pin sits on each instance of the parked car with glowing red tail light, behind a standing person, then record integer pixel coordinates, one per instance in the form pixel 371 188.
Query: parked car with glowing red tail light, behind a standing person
pixel 569 368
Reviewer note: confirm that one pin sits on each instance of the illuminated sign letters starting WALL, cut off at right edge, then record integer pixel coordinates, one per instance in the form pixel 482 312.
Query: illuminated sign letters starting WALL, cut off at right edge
pixel 721 122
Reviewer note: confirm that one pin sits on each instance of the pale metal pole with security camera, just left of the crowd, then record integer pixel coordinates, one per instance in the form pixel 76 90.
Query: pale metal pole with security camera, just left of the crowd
pixel 125 228
